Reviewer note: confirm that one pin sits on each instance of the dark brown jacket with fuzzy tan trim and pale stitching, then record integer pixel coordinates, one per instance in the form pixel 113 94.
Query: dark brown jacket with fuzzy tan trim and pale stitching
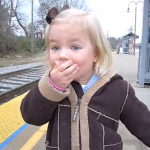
pixel 109 100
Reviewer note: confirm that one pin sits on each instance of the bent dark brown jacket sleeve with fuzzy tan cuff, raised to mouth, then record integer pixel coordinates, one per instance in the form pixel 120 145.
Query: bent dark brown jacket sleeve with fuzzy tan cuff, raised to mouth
pixel 38 106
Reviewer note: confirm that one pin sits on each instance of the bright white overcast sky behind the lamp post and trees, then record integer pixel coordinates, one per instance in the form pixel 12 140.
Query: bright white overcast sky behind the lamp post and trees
pixel 114 17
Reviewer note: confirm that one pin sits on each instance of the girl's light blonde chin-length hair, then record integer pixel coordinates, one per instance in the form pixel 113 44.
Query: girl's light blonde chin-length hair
pixel 85 21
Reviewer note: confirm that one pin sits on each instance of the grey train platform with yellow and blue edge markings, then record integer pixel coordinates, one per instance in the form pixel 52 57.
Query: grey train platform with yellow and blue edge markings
pixel 15 134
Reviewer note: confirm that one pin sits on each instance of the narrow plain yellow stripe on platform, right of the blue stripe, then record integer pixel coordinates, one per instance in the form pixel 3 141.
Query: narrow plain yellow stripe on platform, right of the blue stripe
pixel 35 138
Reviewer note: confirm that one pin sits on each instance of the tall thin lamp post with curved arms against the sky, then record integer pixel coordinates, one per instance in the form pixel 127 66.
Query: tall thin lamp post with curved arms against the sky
pixel 128 10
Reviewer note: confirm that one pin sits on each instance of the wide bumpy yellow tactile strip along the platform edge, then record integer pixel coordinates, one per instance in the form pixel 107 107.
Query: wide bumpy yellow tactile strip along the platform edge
pixel 10 117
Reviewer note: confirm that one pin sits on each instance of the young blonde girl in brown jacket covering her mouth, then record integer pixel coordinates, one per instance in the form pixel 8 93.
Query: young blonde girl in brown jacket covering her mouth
pixel 80 95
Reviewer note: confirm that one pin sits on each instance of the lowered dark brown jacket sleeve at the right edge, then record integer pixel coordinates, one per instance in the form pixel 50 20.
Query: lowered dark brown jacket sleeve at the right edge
pixel 136 116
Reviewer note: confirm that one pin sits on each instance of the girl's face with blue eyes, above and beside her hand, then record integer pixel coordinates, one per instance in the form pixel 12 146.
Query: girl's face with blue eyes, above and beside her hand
pixel 76 46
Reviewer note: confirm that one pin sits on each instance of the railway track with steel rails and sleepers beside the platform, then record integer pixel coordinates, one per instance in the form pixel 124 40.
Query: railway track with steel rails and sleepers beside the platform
pixel 17 82
